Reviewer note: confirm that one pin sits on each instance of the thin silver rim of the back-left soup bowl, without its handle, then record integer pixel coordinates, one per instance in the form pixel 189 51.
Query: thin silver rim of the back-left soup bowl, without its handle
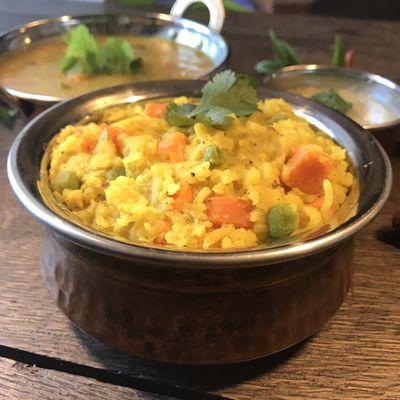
pixel 184 22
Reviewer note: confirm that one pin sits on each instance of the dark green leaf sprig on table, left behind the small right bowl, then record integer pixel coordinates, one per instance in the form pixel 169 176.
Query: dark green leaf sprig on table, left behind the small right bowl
pixel 285 55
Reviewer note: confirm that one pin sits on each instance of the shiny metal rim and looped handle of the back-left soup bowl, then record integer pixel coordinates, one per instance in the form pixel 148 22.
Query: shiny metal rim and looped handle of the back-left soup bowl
pixel 172 27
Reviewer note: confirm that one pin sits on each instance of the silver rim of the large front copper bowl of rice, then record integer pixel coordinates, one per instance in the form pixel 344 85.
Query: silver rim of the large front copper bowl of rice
pixel 181 258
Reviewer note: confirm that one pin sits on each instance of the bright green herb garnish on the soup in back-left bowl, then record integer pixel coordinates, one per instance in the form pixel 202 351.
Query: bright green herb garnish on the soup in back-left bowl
pixel 85 56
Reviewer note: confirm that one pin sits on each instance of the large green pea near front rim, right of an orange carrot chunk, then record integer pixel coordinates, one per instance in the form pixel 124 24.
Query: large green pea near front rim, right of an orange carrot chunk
pixel 282 220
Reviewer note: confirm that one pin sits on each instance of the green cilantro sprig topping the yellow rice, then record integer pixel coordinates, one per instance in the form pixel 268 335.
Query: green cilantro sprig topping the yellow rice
pixel 226 94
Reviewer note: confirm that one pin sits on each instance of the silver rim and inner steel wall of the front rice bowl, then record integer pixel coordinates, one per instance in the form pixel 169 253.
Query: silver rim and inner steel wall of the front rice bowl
pixel 369 161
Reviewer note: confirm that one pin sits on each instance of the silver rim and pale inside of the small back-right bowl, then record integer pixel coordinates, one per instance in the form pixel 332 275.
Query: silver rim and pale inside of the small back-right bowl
pixel 380 96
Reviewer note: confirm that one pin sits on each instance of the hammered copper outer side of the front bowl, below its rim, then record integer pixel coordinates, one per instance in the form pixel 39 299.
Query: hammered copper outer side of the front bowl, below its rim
pixel 208 316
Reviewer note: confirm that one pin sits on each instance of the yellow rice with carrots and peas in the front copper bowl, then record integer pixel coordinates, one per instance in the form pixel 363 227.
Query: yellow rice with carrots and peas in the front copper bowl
pixel 268 175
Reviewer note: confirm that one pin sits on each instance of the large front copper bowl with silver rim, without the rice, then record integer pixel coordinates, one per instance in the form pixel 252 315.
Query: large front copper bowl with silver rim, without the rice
pixel 196 307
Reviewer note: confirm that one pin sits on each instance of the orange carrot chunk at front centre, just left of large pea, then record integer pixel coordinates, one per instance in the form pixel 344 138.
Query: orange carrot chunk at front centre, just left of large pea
pixel 229 210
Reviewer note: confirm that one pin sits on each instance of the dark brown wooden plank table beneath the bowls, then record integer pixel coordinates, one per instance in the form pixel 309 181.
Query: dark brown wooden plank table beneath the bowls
pixel 355 356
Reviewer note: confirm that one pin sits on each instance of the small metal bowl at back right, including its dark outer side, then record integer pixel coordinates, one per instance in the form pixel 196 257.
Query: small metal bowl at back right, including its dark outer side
pixel 375 99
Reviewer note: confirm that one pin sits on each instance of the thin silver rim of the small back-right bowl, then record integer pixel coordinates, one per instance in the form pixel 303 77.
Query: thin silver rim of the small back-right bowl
pixel 350 72
